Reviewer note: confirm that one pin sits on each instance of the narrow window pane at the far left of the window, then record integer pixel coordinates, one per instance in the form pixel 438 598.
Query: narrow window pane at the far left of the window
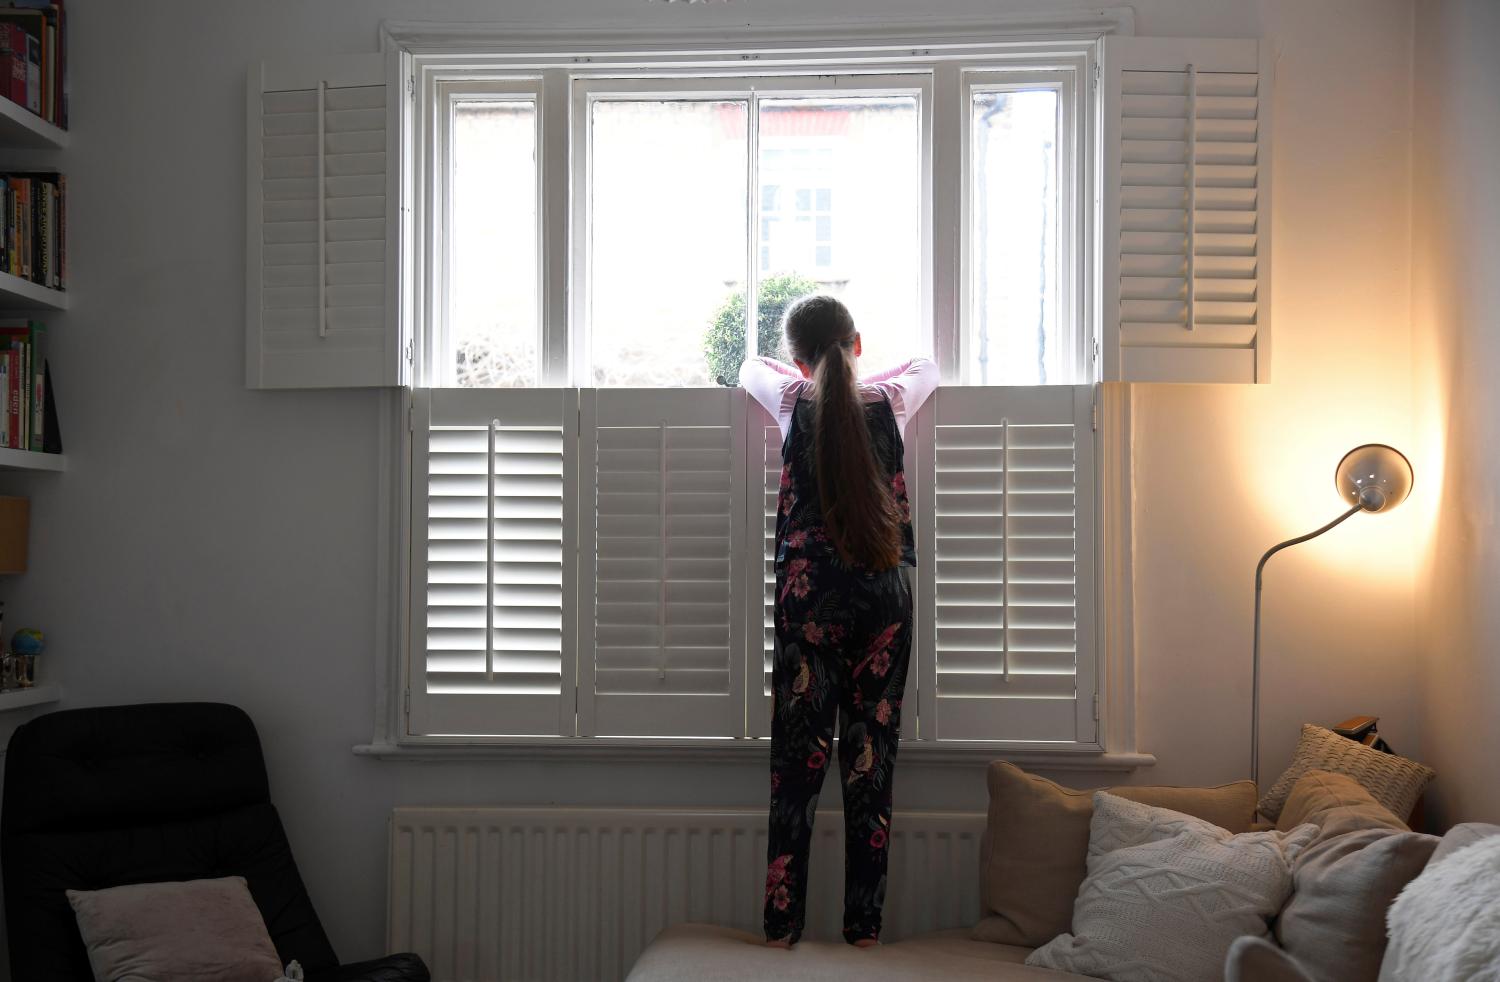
pixel 493 298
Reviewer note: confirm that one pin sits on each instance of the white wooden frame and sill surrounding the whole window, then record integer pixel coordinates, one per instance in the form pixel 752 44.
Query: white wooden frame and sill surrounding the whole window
pixel 425 55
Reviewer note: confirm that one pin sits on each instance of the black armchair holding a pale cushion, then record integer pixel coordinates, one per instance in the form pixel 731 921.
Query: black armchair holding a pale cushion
pixel 98 798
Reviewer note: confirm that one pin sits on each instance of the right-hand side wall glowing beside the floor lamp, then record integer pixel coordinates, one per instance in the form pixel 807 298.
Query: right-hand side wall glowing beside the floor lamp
pixel 1457 343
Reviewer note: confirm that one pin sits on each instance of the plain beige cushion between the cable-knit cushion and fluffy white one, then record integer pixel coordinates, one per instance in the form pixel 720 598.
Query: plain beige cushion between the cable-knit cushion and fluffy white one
pixel 1336 921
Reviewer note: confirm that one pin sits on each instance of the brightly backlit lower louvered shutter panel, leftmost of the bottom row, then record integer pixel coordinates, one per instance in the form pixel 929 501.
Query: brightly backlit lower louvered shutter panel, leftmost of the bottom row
pixel 494 590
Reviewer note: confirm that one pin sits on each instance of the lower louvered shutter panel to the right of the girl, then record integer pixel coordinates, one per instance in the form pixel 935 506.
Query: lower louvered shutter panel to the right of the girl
pixel 1007 549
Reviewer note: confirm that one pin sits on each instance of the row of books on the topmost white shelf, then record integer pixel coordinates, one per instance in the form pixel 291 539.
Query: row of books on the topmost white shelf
pixel 34 58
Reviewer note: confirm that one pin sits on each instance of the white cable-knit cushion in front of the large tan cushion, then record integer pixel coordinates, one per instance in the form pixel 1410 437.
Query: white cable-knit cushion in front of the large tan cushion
pixel 1168 894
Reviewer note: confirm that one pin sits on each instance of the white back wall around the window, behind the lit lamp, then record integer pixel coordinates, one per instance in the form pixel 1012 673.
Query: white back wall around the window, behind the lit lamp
pixel 217 543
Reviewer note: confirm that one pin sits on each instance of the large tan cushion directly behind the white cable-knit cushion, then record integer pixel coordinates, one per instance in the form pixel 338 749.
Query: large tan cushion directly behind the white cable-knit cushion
pixel 1036 846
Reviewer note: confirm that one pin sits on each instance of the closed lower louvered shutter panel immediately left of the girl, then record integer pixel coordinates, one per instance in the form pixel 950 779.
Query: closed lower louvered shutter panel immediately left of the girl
pixel 665 588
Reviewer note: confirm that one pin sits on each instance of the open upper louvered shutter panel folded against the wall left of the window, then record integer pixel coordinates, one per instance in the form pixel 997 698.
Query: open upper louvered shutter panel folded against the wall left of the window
pixel 322 289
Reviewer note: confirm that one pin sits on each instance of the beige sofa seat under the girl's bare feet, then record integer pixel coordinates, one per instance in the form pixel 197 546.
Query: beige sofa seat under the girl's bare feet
pixel 700 953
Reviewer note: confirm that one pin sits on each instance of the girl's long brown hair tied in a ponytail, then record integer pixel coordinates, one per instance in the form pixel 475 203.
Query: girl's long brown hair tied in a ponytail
pixel 859 506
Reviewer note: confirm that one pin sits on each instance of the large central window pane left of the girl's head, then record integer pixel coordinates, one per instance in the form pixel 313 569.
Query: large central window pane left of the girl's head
pixel 668 242
